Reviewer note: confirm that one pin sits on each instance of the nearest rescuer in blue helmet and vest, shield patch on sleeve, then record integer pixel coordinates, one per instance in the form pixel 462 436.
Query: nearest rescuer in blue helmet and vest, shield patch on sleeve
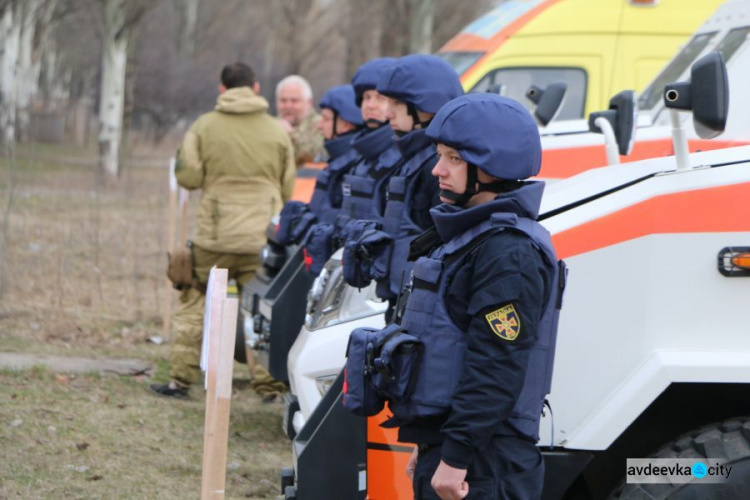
pixel 483 302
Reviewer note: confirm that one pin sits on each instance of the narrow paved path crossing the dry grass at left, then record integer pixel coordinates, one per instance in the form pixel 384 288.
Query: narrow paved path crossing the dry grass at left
pixel 60 364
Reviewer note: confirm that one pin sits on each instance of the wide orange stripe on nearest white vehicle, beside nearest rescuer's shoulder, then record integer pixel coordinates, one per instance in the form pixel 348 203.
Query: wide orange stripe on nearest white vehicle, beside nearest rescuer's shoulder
pixel 714 210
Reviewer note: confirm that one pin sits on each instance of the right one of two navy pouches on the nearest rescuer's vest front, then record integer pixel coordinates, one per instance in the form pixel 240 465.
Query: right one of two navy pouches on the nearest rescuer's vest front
pixel 396 363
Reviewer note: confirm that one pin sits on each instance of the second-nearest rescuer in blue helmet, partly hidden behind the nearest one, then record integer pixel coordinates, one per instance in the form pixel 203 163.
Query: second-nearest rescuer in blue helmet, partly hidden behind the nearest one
pixel 417 86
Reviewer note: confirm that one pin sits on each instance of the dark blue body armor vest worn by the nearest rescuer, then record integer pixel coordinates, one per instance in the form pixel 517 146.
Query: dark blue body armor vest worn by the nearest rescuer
pixel 425 317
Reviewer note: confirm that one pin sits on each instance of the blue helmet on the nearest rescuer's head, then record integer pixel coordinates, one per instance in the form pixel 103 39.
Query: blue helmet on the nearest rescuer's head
pixel 494 133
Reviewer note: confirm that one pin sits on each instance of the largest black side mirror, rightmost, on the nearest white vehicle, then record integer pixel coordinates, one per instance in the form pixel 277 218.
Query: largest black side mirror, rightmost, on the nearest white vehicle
pixel 706 94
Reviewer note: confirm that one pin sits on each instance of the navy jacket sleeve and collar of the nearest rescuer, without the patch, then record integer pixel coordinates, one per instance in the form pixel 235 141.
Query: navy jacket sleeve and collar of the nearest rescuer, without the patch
pixel 494 368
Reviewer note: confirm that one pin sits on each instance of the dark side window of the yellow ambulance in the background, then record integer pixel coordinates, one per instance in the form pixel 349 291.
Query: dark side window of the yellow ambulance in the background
pixel 516 81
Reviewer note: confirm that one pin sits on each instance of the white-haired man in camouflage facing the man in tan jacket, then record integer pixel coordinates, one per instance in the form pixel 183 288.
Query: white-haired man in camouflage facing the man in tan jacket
pixel 294 105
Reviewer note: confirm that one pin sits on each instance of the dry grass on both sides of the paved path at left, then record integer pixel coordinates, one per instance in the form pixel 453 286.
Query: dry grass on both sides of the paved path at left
pixel 83 276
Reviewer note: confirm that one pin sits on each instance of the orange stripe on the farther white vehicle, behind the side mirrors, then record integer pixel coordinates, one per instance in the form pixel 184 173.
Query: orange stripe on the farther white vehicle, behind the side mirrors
pixel 567 162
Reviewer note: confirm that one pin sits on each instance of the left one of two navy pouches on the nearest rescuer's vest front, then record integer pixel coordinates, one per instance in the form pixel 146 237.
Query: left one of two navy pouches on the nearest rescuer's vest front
pixel 360 397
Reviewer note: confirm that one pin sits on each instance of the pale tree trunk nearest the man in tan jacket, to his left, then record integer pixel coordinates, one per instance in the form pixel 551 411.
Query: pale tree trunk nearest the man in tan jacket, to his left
pixel 114 64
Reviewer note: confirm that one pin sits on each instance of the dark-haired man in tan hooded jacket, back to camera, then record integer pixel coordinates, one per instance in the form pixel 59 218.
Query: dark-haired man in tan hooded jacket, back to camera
pixel 243 161
